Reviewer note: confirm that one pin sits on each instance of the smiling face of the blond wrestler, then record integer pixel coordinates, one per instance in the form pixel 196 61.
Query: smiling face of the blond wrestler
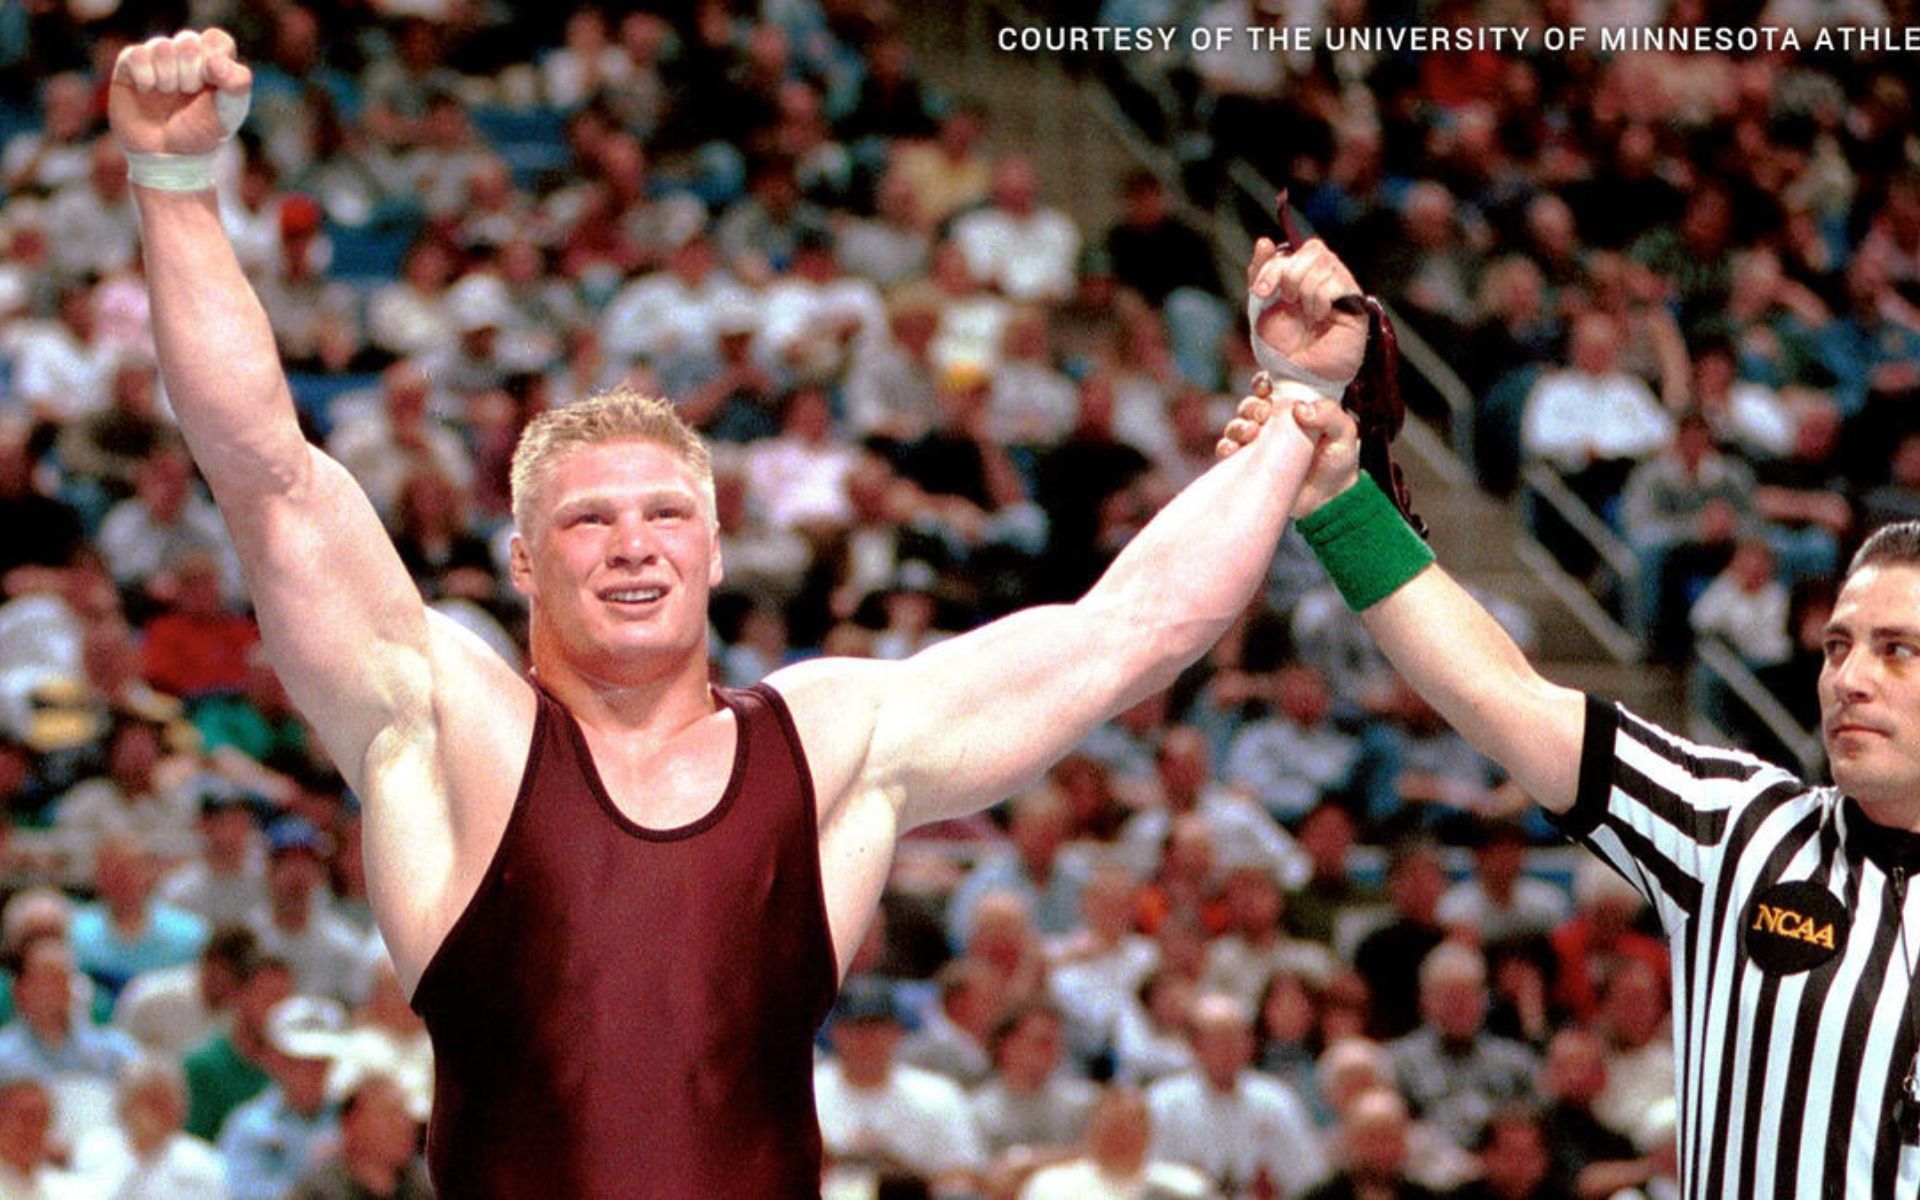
pixel 621 562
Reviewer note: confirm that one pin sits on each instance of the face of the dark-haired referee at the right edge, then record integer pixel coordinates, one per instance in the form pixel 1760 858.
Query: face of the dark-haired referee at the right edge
pixel 1871 692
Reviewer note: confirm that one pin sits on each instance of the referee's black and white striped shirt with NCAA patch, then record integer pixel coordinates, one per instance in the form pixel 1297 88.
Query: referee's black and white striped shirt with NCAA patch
pixel 1792 978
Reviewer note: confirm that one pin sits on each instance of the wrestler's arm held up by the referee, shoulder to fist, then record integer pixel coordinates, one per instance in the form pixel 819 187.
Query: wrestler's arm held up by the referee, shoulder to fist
pixel 971 721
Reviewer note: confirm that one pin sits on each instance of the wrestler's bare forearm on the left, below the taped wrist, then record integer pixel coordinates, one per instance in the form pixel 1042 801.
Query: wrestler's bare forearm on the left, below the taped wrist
pixel 216 350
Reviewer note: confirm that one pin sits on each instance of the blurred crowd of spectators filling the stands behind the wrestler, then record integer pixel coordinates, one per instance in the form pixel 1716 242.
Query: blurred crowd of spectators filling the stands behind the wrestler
pixel 1274 932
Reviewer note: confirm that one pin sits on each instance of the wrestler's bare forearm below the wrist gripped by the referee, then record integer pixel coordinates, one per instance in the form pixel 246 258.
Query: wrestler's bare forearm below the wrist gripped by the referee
pixel 1191 571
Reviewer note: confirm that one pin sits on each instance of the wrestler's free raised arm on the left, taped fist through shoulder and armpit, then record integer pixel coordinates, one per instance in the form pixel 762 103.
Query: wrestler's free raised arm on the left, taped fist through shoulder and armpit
pixel 385 683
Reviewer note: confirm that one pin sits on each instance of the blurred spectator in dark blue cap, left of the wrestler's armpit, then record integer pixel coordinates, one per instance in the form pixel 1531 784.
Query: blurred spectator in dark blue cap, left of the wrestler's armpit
pixel 300 923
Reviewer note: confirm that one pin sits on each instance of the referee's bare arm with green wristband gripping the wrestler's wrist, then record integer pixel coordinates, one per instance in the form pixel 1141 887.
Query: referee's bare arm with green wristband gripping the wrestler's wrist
pixel 1441 640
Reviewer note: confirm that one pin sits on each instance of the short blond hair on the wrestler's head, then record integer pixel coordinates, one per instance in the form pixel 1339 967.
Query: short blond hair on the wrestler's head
pixel 617 416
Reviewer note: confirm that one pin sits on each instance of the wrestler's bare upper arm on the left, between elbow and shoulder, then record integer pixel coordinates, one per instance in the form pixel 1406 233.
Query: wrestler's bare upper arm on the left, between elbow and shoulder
pixel 343 621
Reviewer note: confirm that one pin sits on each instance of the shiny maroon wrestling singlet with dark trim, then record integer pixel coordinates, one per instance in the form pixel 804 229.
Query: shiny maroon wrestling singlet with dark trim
pixel 627 1011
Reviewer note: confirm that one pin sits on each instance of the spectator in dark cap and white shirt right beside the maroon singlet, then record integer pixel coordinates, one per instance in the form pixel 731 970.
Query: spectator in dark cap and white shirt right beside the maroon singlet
pixel 880 1113
